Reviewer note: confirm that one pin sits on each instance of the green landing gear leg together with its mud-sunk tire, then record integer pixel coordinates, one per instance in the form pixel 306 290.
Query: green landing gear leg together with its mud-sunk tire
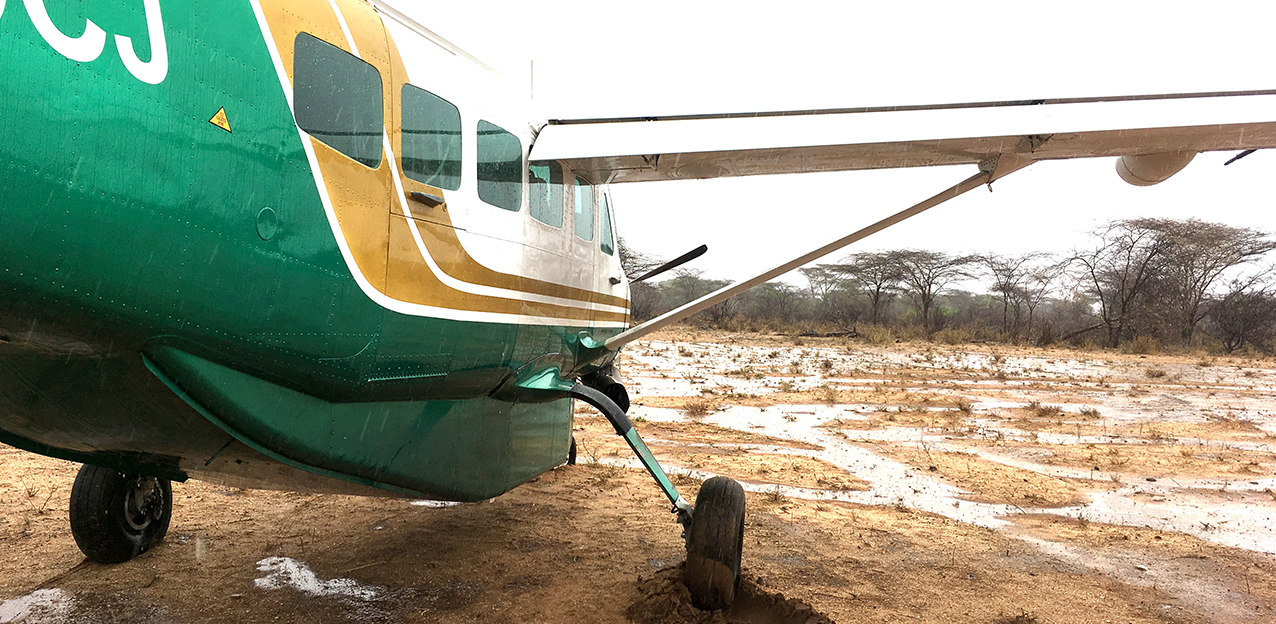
pixel 714 529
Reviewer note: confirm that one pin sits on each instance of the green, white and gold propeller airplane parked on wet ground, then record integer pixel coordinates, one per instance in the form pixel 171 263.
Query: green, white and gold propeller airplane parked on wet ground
pixel 313 246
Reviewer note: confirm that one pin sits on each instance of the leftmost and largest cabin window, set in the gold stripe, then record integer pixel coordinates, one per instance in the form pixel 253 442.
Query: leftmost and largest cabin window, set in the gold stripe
pixel 339 100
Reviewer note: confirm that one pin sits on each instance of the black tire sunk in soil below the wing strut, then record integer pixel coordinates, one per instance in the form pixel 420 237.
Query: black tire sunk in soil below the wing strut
pixel 715 542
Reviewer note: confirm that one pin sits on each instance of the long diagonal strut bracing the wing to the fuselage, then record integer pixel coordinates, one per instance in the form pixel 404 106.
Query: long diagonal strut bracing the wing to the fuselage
pixel 991 170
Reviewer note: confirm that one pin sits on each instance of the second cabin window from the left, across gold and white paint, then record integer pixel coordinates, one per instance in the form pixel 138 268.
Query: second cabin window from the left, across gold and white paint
pixel 432 140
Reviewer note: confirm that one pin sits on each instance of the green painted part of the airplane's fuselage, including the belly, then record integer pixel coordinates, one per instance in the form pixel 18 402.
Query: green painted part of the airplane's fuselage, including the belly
pixel 155 321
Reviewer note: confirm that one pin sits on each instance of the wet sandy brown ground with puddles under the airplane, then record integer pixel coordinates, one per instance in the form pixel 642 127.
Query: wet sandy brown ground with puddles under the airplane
pixel 908 484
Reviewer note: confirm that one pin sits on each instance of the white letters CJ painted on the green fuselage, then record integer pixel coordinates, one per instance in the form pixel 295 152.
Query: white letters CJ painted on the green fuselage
pixel 89 47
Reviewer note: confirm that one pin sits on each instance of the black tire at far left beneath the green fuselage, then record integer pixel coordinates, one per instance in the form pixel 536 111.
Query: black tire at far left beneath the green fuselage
pixel 117 517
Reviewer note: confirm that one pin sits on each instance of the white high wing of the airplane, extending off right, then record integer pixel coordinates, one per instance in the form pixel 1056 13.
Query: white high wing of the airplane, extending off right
pixel 798 142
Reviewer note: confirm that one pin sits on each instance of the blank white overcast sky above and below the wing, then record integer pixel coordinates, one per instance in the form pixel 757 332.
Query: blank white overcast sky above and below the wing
pixel 619 59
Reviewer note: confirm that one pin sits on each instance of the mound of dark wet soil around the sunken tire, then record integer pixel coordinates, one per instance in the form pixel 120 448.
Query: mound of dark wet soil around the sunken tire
pixel 665 600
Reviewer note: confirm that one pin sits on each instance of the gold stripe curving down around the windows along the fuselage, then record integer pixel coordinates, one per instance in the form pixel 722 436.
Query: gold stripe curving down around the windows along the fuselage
pixel 364 200
